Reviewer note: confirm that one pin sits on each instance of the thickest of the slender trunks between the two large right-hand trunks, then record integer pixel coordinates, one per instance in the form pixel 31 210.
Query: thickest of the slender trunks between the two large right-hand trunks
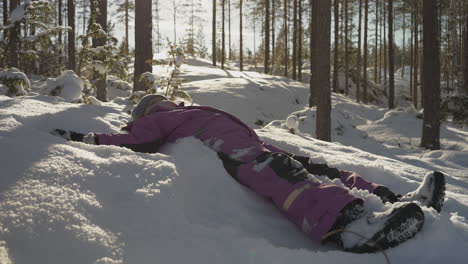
pixel 391 58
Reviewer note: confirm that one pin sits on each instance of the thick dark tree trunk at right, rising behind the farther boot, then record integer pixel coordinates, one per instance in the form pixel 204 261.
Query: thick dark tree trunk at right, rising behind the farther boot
pixel 431 74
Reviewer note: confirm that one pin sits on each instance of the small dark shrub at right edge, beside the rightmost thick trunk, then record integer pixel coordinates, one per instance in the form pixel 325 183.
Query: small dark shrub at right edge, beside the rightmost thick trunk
pixel 457 108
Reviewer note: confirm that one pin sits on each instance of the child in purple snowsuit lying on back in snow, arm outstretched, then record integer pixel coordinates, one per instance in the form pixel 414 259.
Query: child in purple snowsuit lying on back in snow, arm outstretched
pixel 293 183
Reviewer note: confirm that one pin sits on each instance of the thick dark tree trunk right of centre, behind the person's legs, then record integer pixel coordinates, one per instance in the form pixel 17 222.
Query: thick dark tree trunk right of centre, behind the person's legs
pixel 320 79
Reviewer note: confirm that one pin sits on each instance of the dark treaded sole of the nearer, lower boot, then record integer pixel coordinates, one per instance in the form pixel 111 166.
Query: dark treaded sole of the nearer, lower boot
pixel 403 223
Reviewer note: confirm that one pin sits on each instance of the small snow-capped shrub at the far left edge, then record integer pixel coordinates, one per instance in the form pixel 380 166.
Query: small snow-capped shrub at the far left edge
pixel 16 82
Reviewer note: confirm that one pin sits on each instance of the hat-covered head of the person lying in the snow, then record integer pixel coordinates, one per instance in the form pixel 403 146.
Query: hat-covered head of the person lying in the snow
pixel 152 103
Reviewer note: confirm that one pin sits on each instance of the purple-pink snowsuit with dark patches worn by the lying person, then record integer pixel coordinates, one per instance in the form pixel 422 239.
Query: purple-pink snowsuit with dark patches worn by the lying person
pixel 312 206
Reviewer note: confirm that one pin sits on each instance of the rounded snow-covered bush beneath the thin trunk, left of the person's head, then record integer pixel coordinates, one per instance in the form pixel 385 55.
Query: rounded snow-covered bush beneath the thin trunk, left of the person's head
pixel 68 86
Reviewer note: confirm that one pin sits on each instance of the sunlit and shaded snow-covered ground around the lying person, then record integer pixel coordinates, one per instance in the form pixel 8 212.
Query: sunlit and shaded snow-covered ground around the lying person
pixel 67 202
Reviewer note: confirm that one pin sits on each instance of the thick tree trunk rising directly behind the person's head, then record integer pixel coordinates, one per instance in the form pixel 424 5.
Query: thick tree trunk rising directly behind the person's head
pixel 143 42
